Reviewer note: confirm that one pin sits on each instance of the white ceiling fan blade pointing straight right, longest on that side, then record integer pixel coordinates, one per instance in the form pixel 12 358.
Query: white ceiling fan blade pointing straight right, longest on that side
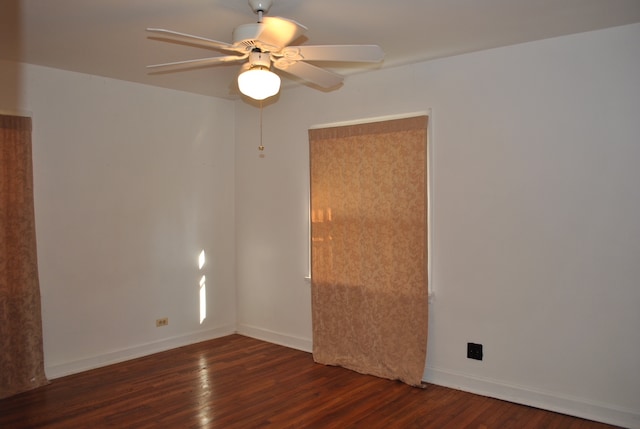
pixel 348 53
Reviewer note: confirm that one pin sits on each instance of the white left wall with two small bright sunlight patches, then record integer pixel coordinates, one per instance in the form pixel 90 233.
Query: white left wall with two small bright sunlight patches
pixel 131 183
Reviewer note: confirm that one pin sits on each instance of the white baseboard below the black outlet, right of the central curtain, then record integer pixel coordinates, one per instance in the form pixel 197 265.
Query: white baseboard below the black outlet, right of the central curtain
pixel 545 400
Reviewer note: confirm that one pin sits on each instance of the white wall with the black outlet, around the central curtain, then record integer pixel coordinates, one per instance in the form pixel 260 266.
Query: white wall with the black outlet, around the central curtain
pixel 536 216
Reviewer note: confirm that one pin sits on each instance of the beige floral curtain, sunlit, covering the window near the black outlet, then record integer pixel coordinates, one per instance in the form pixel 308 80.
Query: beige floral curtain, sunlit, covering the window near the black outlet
pixel 369 252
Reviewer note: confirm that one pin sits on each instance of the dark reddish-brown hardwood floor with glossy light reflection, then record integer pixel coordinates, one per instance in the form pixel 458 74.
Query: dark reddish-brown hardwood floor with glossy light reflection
pixel 240 382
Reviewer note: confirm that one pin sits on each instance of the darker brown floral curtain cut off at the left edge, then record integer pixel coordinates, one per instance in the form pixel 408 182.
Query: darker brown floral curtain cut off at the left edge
pixel 21 354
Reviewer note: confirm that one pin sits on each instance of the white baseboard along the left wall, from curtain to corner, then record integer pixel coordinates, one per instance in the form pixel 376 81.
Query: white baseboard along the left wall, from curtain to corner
pixel 116 356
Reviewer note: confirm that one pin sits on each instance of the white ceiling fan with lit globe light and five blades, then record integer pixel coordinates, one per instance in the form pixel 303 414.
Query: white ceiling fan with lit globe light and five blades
pixel 265 44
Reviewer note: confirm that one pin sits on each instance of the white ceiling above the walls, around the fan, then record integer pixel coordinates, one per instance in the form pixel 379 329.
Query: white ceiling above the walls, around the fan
pixel 108 37
